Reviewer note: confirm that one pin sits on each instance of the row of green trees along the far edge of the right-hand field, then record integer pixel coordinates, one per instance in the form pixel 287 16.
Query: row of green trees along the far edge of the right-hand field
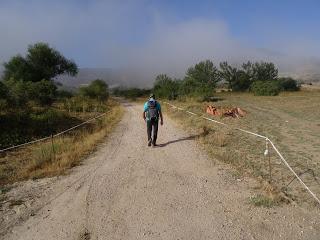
pixel 201 80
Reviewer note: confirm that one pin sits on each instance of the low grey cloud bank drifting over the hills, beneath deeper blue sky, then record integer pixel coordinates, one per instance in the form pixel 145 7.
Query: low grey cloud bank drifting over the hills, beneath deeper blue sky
pixel 135 38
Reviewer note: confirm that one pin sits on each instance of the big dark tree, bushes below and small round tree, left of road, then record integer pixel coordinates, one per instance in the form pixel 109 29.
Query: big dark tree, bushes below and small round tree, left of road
pixel 30 80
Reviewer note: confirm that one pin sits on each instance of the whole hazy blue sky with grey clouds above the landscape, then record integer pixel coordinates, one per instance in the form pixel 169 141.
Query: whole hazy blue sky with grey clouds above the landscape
pixel 164 35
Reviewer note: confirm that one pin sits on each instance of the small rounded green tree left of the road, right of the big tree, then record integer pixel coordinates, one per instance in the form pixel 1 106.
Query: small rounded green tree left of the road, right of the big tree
pixel 97 89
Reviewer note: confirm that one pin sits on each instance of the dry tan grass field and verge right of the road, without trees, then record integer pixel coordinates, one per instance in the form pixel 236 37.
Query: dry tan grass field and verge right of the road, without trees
pixel 290 120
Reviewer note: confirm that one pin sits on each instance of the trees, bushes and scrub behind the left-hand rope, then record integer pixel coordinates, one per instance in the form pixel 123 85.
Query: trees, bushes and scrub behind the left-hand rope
pixel 33 104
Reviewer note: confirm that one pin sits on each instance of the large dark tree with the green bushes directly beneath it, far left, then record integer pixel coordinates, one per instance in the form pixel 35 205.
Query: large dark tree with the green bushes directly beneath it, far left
pixel 31 77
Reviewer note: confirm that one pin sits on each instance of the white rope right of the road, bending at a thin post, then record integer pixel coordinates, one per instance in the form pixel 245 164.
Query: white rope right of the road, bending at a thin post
pixel 268 140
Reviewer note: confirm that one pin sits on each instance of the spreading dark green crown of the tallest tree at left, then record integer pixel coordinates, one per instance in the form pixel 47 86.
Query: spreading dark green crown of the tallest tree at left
pixel 41 62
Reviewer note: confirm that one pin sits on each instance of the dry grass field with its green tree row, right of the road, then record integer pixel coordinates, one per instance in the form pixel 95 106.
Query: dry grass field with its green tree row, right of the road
pixel 276 108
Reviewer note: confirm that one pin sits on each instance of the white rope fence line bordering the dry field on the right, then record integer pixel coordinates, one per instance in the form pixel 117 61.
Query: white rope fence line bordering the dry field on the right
pixel 259 136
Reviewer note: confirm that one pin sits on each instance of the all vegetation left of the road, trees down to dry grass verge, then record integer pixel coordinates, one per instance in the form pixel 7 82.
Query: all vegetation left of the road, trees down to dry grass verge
pixel 33 106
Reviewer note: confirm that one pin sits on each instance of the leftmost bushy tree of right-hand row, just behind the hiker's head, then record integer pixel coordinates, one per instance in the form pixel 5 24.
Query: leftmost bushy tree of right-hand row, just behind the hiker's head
pixel 165 87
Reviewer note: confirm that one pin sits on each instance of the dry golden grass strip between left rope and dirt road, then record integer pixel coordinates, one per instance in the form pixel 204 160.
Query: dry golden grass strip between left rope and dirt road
pixel 54 157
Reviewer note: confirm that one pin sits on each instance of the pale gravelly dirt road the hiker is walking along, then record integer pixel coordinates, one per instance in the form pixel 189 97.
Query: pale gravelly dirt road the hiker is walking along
pixel 130 191
